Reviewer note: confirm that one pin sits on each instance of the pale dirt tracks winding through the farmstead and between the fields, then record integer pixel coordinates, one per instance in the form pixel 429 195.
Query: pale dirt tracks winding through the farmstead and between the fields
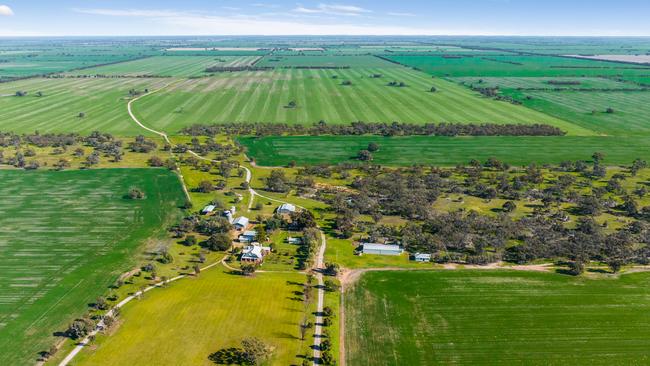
pixel 249 176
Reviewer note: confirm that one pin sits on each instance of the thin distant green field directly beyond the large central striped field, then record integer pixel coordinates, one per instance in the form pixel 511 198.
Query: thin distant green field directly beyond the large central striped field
pixel 325 61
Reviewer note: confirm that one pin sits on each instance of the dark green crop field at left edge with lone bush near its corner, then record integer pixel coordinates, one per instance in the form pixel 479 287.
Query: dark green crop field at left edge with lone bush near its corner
pixel 64 238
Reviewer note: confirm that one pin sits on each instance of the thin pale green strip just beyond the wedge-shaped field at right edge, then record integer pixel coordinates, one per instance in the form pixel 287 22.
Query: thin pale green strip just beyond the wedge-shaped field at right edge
pixel 545 83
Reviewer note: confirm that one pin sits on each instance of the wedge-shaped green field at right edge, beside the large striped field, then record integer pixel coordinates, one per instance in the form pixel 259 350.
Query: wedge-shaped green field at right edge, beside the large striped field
pixel 588 109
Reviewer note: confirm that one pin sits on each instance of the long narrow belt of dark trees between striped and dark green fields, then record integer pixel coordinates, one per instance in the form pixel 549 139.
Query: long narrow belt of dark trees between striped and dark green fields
pixel 379 129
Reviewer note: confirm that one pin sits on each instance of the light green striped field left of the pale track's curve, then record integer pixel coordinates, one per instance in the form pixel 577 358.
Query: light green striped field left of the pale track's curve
pixel 103 101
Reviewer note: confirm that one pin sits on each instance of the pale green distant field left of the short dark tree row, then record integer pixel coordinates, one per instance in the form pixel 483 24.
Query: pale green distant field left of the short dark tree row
pixel 179 66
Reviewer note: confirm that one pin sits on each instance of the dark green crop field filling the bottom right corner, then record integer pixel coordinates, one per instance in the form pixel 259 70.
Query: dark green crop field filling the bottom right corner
pixel 497 317
